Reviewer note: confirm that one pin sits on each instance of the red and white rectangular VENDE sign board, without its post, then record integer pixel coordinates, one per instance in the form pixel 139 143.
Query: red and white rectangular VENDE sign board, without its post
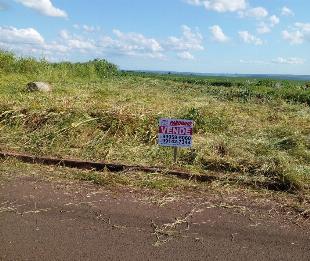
pixel 175 133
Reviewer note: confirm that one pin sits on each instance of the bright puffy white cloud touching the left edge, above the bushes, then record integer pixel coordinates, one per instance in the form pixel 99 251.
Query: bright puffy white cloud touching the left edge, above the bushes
pixel 15 35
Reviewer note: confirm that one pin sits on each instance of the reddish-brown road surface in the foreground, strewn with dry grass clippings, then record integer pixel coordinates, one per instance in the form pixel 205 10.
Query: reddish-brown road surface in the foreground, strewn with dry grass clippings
pixel 47 220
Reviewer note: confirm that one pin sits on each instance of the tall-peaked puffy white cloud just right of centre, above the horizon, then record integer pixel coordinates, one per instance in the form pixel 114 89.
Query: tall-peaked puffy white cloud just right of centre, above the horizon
pixel 190 40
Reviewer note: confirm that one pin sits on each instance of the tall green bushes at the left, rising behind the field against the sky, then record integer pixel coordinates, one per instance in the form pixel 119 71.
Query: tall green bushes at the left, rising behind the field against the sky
pixel 95 69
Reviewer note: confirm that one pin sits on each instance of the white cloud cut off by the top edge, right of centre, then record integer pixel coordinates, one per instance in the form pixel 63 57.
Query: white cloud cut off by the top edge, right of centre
pixel 220 5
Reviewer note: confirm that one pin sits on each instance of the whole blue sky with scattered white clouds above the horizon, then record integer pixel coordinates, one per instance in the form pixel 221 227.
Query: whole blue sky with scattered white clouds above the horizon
pixel 206 36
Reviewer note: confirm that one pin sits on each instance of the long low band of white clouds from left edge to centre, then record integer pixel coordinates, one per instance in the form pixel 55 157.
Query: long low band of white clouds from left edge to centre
pixel 28 41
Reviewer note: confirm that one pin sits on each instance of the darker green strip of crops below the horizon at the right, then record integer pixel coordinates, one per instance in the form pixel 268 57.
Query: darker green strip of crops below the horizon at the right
pixel 240 89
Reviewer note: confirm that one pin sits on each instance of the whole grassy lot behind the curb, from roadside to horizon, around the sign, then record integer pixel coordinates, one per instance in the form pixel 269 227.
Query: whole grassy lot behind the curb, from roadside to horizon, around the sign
pixel 255 129
